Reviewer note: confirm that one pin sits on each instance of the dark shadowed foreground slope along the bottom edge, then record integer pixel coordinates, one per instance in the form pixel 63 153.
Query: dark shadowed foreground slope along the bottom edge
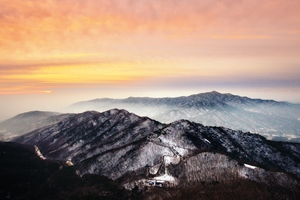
pixel 42 179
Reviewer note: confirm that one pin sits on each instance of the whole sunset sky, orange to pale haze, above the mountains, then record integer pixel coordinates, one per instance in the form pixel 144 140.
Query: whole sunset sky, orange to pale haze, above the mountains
pixel 56 52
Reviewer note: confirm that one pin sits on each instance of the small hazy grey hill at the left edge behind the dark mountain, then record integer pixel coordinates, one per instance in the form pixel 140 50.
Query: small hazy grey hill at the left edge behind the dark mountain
pixel 27 122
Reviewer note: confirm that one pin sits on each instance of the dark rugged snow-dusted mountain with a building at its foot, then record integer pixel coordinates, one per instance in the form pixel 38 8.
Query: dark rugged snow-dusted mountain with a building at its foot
pixel 142 151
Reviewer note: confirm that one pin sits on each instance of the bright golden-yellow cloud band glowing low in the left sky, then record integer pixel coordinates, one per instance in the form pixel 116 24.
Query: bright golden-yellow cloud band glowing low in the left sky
pixel 40 77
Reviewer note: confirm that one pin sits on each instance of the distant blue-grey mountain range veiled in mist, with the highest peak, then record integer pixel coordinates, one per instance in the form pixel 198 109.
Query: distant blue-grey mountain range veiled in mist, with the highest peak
pixel 278 120
